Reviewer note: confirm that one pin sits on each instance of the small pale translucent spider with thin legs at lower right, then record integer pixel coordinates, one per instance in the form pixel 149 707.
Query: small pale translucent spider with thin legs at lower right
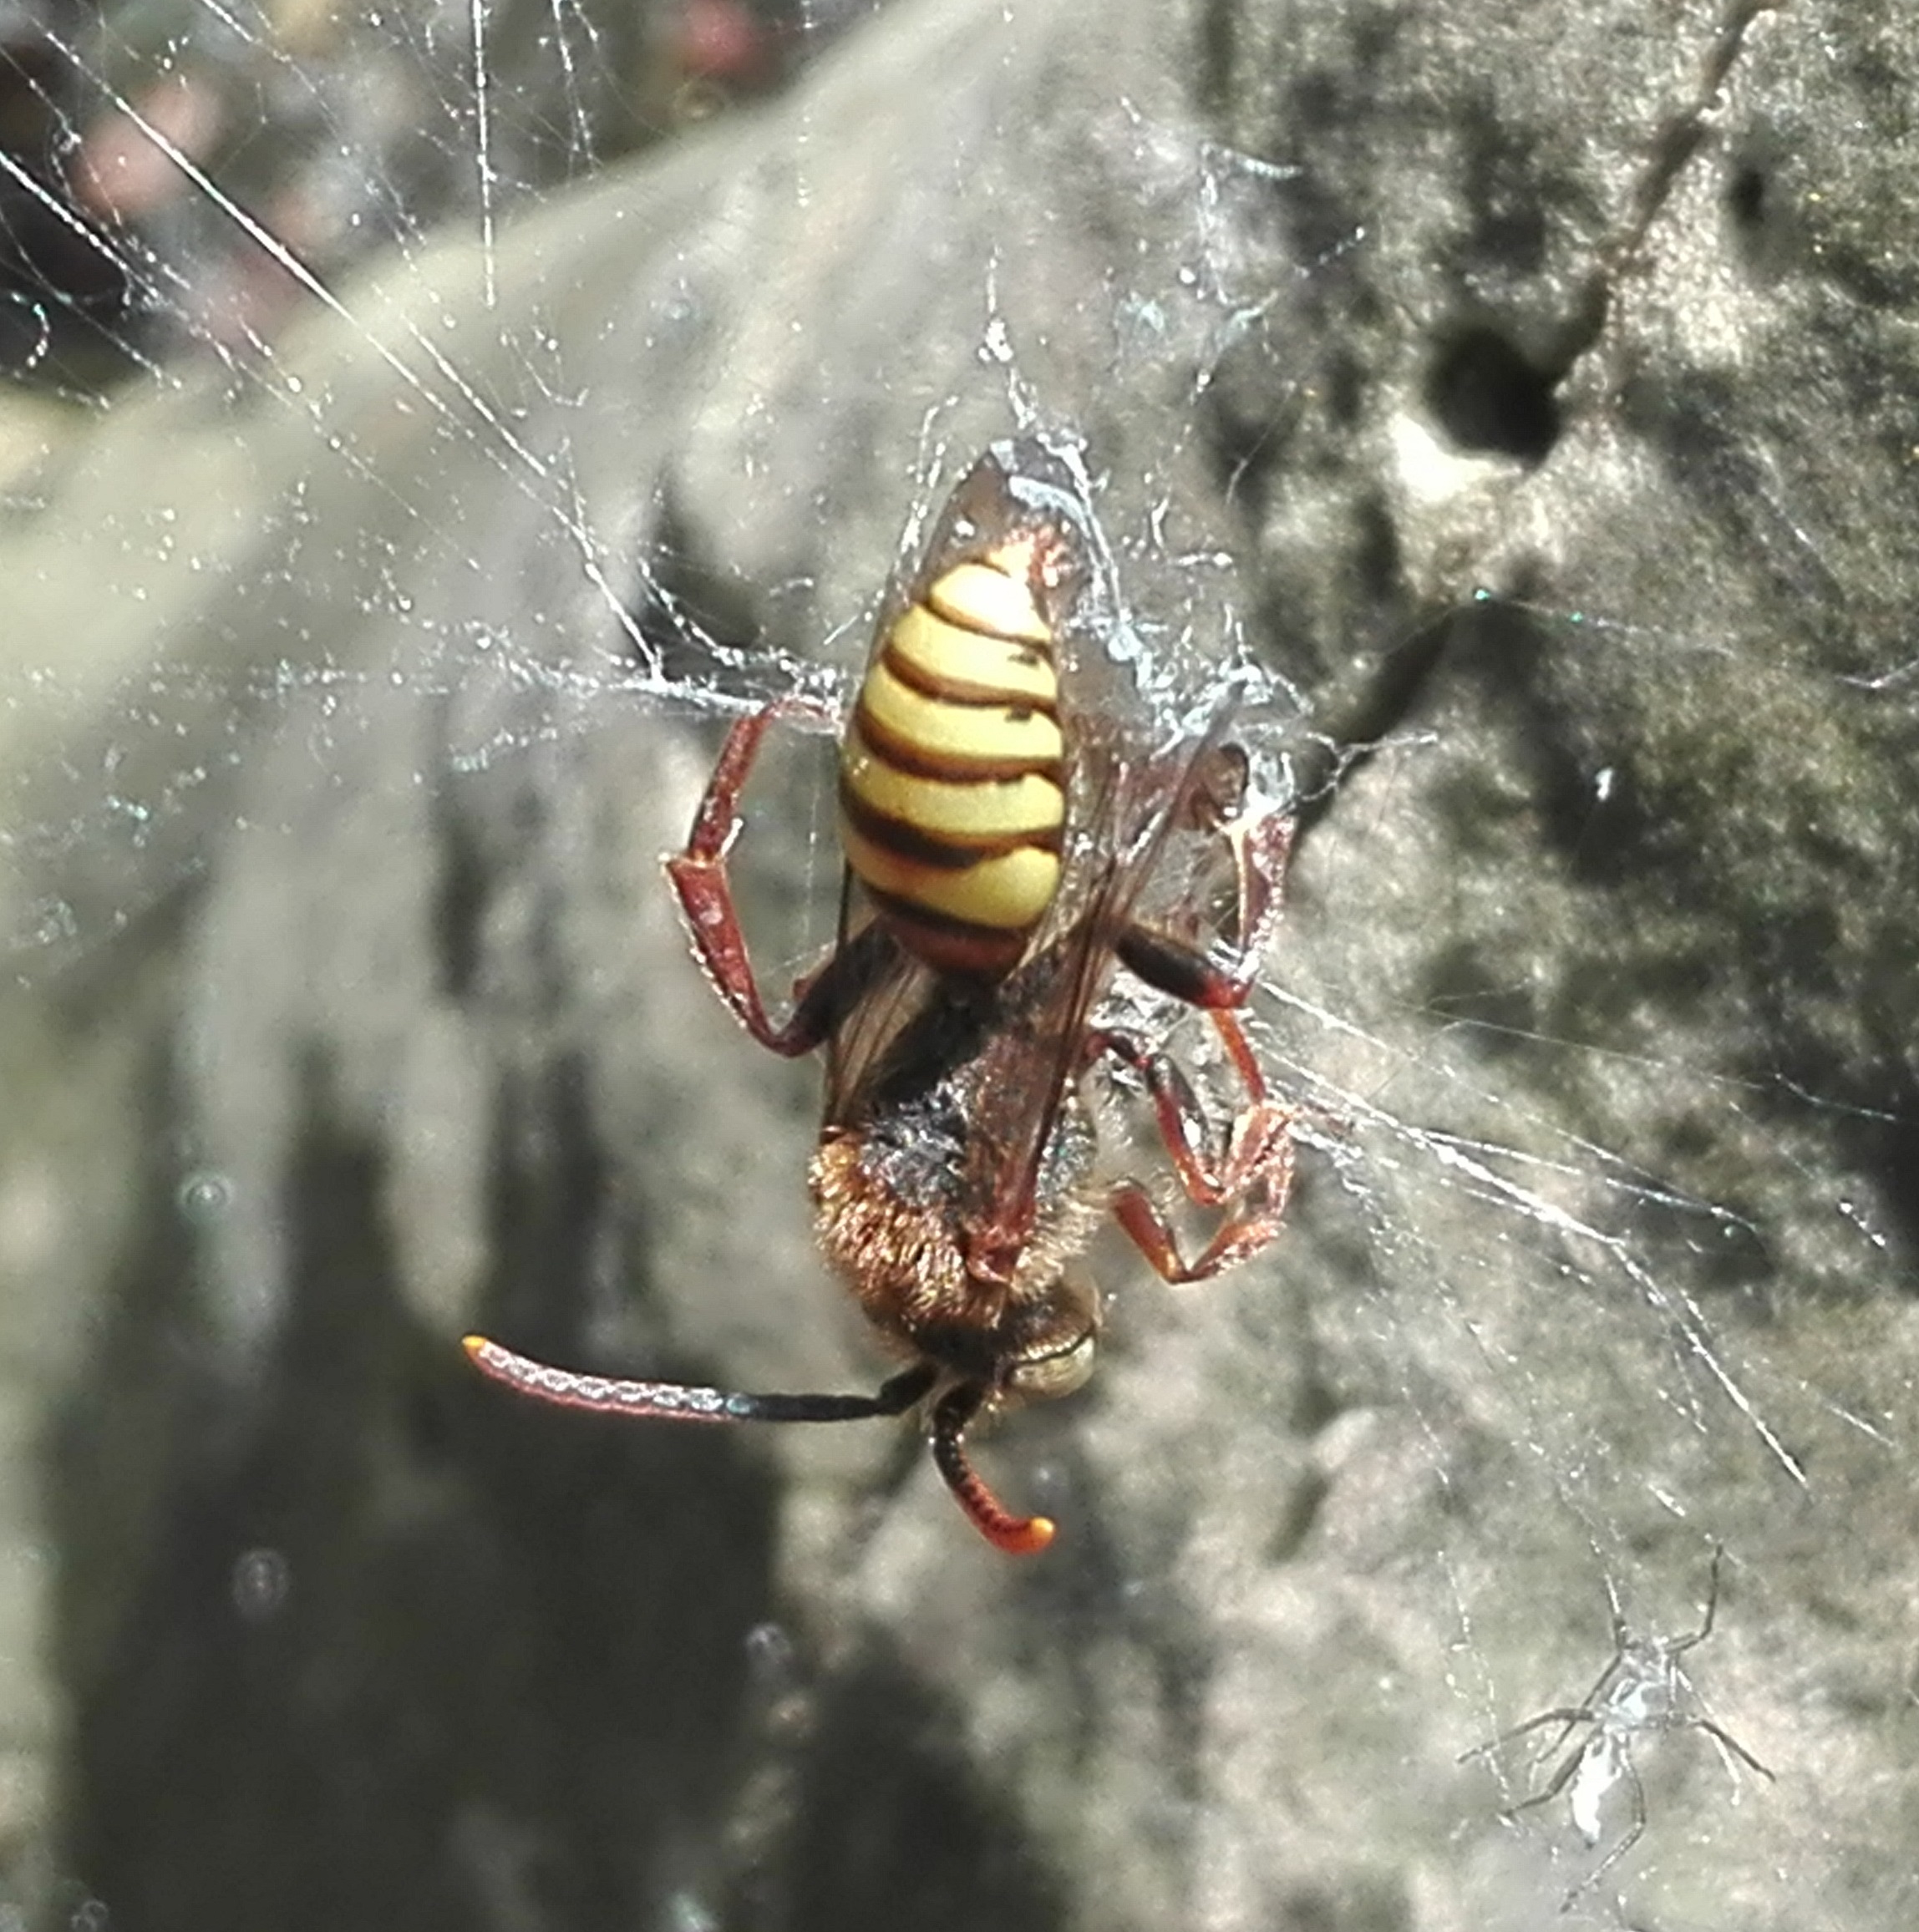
pixel 1642 1691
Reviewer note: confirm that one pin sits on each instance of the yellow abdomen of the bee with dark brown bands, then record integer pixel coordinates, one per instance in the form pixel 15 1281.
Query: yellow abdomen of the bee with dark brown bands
pixel 952 780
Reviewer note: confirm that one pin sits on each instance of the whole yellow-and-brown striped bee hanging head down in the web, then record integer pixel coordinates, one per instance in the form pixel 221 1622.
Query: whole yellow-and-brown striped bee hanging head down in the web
pixel 1002 828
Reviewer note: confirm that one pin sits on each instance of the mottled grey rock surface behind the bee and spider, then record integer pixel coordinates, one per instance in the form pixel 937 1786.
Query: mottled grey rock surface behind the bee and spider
pixel 1547 376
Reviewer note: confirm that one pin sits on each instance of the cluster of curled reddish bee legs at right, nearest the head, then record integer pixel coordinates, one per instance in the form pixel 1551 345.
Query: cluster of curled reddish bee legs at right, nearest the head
pixel 1251 1178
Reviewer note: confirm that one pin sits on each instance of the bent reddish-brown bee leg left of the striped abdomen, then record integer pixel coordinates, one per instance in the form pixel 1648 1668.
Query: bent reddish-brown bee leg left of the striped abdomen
pixel 706 897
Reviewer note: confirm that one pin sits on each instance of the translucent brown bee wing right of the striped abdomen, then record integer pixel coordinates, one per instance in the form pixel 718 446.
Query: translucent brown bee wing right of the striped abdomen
pixel 1133 799
